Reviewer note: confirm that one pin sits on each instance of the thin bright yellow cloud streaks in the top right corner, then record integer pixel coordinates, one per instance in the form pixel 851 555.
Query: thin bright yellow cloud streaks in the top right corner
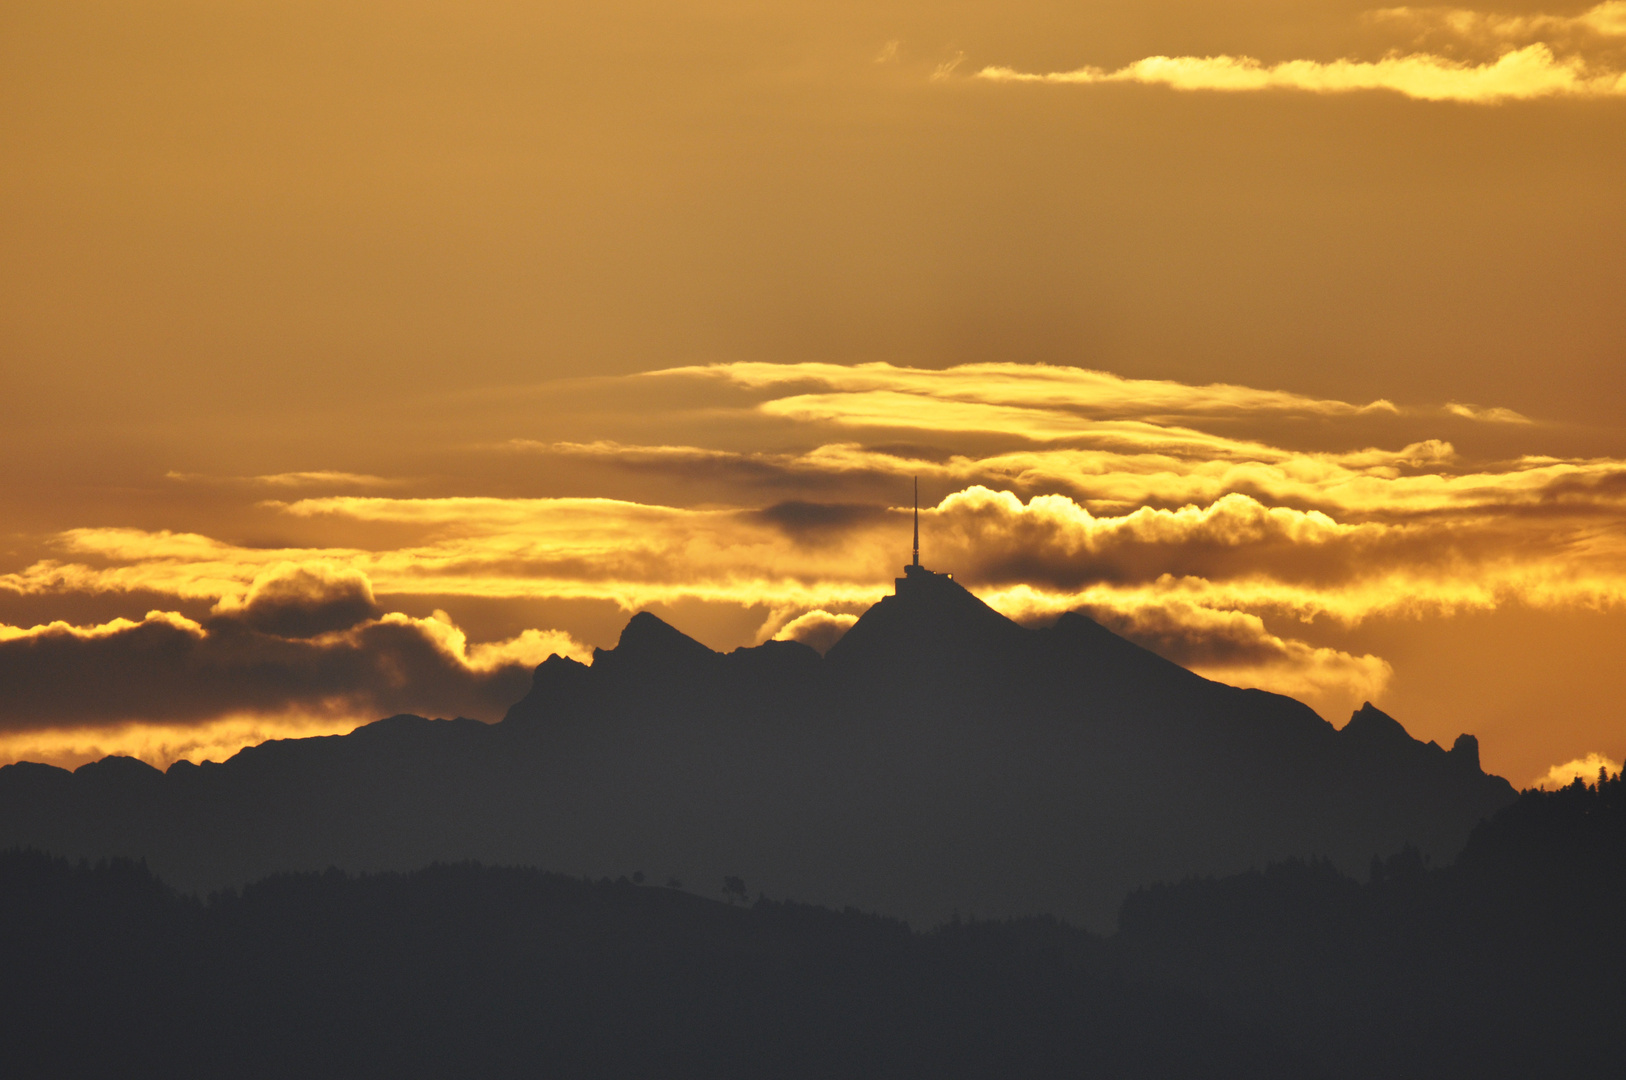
pixel 1557 63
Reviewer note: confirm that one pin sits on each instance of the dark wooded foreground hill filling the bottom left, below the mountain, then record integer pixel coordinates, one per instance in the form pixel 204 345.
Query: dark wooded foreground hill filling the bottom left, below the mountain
pixel 467 972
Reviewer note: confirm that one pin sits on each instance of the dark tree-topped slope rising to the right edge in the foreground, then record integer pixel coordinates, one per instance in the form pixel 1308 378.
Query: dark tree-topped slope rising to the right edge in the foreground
pixel 1508 964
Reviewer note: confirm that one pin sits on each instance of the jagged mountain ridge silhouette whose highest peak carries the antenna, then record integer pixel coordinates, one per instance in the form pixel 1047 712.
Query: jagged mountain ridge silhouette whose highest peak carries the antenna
pixel 941 757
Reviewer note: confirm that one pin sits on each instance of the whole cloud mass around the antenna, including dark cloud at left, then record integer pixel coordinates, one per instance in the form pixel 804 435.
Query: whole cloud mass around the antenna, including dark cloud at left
pixel 1162 510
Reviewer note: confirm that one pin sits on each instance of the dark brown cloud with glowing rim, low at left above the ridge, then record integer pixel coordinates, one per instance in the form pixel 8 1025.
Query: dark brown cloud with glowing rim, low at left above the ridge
pixel 303 647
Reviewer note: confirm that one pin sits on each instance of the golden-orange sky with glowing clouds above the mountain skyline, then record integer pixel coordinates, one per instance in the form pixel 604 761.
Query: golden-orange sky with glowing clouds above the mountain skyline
pixel 359 355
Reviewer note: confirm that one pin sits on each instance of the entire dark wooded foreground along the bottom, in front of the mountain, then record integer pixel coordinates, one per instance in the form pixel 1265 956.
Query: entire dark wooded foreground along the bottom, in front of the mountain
pixel 1508 964
